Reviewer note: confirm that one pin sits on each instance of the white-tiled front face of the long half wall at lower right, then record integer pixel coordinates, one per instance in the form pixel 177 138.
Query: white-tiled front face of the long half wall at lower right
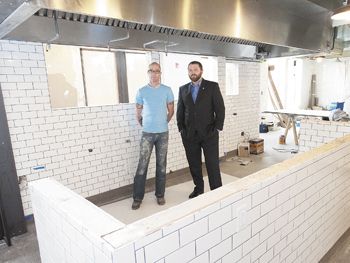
pixel 289 230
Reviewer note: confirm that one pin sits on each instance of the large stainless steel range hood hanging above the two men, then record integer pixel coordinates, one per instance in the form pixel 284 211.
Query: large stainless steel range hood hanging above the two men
pixel 241 29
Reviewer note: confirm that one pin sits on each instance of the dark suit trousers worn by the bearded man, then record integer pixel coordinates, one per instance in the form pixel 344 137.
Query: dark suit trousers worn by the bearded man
pixel 210 146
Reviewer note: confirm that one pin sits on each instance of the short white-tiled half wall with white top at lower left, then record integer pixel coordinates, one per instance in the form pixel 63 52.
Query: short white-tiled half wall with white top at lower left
pixel 70 228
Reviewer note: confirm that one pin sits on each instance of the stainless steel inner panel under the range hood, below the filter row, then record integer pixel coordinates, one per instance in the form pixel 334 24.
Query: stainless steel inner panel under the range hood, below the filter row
pixel 97 35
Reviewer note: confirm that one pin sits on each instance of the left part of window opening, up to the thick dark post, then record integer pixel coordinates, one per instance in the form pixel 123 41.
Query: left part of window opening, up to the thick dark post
pixel 81 77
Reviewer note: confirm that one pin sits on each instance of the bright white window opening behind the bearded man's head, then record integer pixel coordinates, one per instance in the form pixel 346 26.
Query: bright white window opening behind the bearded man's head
pixel 174 68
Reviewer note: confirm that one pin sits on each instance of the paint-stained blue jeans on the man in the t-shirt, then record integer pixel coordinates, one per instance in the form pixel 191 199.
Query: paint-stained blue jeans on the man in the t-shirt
pixel 148 140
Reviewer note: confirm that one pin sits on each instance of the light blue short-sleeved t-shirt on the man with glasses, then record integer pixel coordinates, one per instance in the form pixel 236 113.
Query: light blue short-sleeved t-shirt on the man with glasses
pixel 155 111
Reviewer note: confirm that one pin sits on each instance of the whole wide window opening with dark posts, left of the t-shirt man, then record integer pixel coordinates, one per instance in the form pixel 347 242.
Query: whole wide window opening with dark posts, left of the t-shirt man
pixel 80 76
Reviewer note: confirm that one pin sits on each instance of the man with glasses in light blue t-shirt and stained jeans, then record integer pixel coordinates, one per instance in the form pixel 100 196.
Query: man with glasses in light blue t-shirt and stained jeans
pixel 154 109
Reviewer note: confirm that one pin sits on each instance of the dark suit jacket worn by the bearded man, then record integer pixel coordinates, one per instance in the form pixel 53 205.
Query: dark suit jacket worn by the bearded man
pixel 206 116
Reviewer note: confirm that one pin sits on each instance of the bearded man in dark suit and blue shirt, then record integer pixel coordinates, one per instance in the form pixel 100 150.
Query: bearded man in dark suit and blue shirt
pixel 200 115
